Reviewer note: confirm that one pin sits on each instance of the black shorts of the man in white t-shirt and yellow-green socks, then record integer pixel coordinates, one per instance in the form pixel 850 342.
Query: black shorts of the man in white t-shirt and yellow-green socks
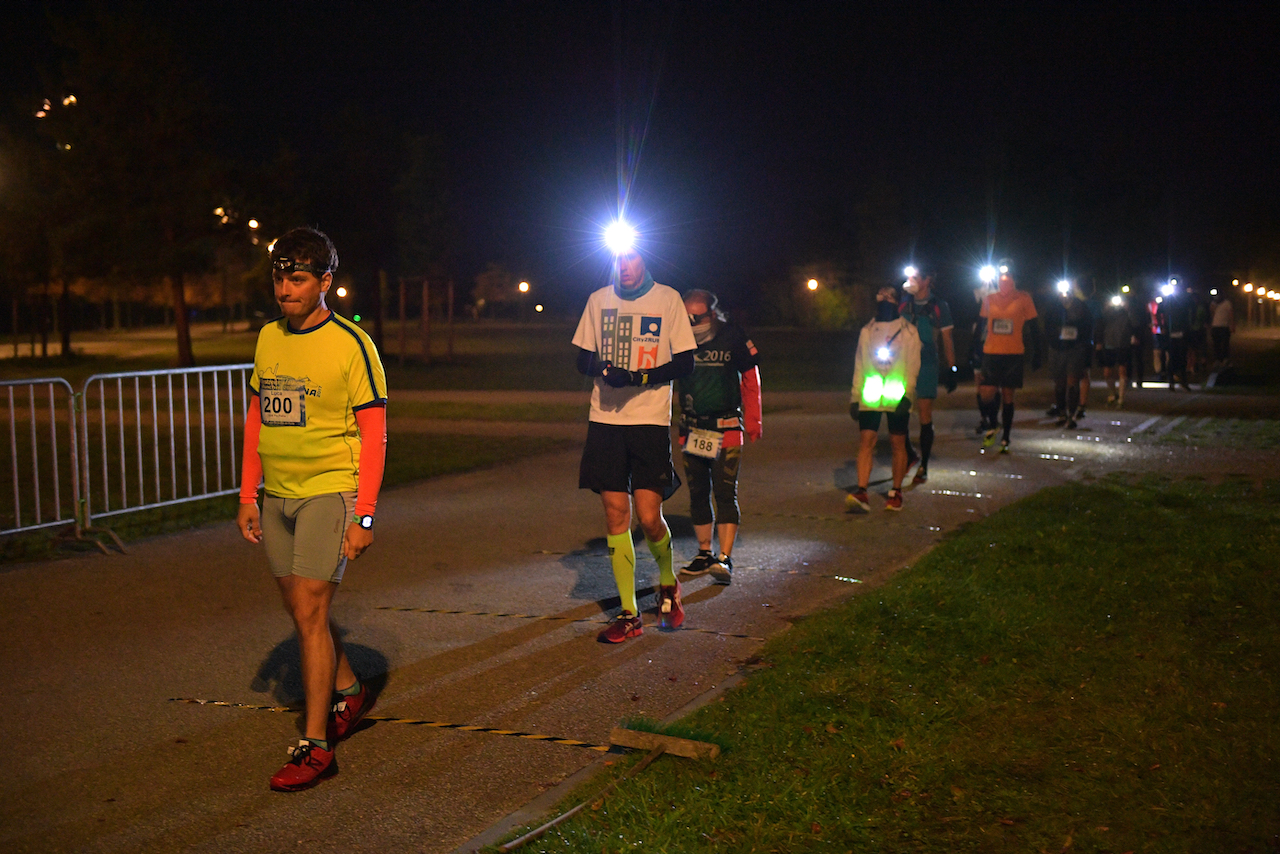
pixel 628 458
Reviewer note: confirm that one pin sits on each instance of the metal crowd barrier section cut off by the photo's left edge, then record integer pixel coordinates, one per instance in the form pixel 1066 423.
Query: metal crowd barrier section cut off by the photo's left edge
pixel 43 468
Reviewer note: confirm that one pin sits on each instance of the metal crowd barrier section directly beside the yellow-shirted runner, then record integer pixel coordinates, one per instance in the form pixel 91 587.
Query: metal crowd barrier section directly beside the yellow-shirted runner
pixel 158 439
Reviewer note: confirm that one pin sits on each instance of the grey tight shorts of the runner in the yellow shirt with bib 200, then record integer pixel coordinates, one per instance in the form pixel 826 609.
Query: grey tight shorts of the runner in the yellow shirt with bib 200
pixel 304 536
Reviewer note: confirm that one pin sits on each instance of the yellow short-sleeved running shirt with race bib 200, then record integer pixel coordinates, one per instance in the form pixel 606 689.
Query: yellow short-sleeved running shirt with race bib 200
pixel 309 386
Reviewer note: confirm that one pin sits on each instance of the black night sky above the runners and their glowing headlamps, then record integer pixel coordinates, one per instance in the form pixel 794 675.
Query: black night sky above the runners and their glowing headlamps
pixel 765 125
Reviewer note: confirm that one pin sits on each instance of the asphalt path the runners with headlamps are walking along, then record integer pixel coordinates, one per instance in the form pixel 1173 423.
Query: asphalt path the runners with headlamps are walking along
pixel 445 606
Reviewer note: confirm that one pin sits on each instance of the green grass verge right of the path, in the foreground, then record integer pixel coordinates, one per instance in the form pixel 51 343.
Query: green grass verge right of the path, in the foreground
pixel 1092 669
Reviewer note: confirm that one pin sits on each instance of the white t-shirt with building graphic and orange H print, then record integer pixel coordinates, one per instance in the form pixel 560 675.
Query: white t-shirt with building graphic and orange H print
pixel 634 335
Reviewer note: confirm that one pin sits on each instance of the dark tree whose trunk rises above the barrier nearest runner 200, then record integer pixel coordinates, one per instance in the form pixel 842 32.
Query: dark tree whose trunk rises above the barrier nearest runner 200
pixel 138 172
